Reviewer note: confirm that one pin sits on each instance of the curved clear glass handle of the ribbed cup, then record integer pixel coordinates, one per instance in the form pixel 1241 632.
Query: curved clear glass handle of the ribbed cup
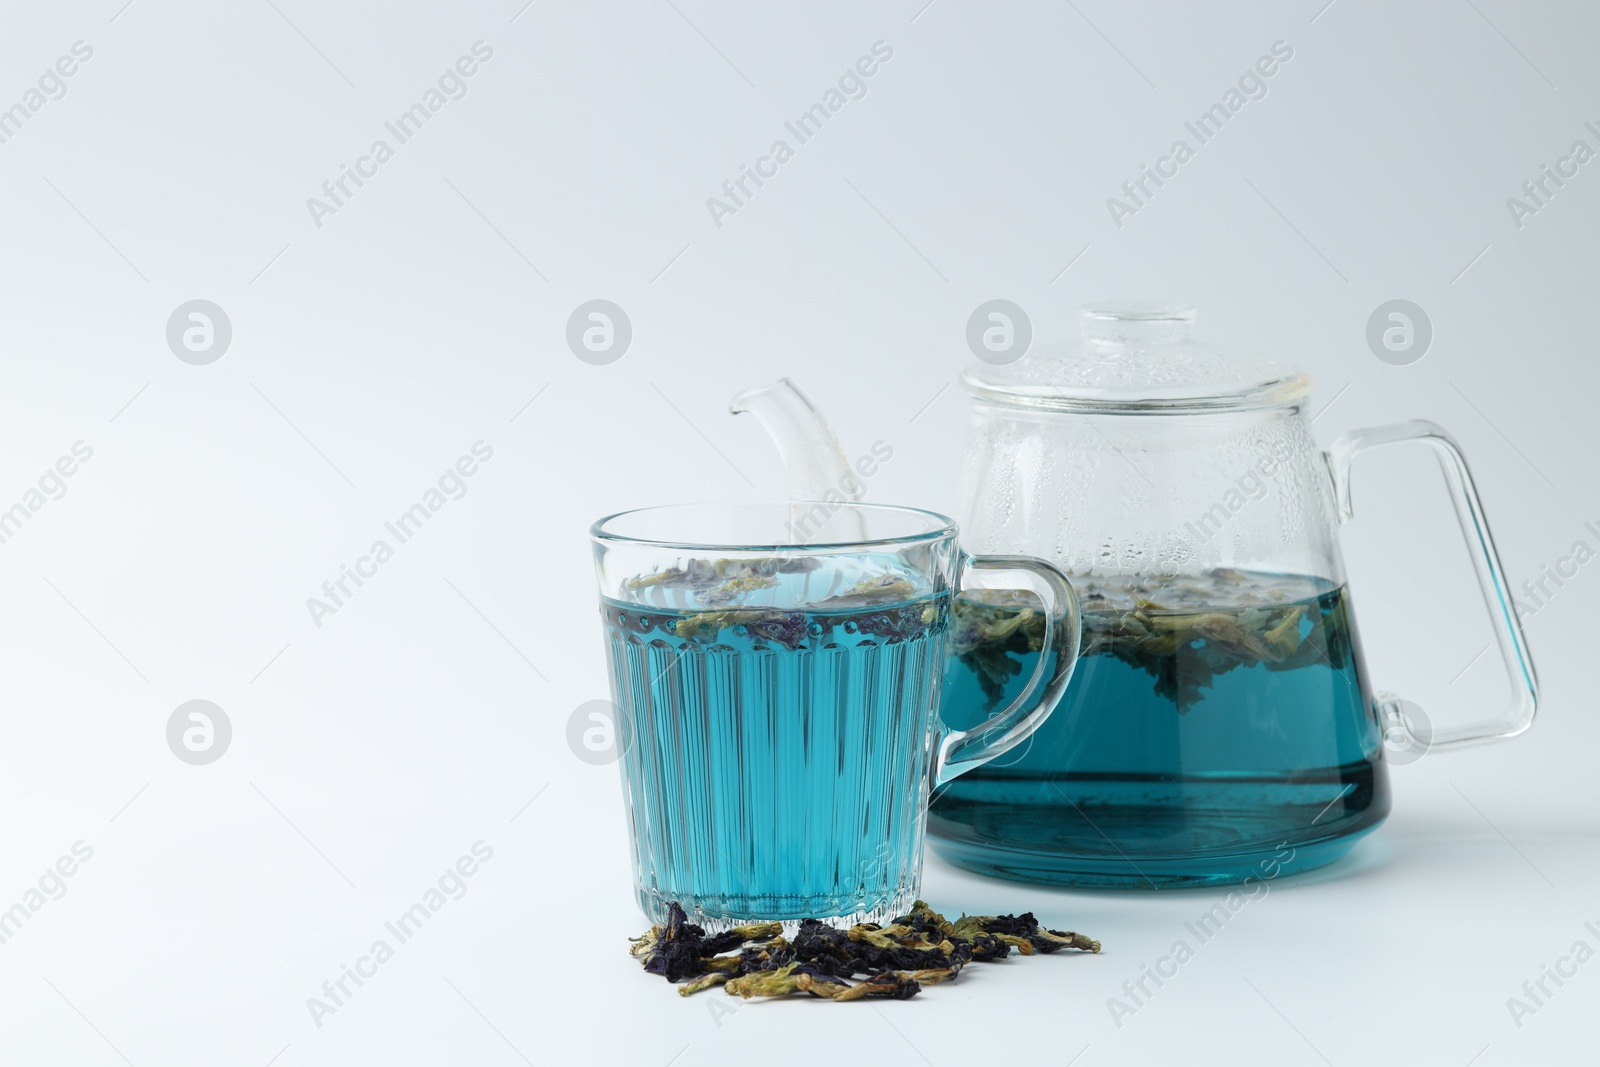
pixel 961 751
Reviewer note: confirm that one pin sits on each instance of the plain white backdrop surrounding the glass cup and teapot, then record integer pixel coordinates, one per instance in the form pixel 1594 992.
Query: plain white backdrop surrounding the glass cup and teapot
pixel 431 711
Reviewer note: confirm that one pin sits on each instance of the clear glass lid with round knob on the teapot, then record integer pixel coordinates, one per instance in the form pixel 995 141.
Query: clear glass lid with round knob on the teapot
pixel 1138 358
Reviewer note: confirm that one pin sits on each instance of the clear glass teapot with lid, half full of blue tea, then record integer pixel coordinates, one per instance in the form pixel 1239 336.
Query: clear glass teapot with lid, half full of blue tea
pixel 1220 725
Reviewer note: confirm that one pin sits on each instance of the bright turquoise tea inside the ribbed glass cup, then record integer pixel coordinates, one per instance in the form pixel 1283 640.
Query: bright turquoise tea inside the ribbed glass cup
pixel 777 762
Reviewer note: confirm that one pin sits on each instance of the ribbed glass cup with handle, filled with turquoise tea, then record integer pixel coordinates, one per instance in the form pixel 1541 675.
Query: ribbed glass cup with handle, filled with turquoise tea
pixel 777 677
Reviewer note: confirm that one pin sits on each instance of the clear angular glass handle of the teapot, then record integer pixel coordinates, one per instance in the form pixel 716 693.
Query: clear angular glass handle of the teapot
pixel 1399 730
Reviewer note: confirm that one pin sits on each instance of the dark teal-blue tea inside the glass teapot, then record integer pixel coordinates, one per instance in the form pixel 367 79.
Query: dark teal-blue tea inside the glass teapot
pixel 1178 765
